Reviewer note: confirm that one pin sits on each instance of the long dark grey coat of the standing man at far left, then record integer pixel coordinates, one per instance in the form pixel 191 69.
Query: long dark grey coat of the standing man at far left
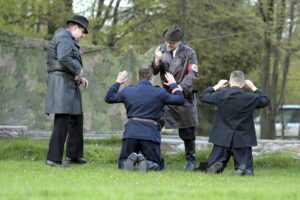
pixel 64 62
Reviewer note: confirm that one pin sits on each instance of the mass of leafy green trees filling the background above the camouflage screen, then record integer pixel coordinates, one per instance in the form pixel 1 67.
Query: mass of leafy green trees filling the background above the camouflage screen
pixel 227 35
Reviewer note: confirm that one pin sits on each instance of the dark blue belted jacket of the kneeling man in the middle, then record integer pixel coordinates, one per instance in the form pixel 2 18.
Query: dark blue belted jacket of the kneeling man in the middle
pixel 143 101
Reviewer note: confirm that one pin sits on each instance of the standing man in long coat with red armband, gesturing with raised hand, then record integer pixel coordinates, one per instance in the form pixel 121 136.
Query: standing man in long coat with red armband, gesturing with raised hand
pixel 181 61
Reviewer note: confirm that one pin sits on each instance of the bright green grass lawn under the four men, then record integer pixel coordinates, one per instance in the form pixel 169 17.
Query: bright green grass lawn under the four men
pixel 23 175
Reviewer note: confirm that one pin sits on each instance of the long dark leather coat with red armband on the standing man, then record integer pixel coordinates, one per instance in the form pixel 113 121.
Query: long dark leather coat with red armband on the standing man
pixel 179 116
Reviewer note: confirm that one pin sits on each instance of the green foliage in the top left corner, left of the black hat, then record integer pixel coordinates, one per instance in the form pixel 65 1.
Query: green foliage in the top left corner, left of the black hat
pixel 35 18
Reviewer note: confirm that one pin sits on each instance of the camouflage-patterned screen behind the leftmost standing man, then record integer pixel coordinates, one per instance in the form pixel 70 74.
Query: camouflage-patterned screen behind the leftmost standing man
pixel 23 83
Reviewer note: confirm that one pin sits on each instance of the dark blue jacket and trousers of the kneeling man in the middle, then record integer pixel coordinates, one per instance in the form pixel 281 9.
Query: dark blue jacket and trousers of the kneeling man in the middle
pixel 144 104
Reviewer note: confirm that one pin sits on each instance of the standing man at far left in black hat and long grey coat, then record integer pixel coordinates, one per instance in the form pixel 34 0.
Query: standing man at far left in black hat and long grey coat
pixel 63 98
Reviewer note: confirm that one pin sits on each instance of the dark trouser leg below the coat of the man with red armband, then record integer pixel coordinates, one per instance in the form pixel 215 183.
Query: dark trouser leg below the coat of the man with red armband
pixel 188 136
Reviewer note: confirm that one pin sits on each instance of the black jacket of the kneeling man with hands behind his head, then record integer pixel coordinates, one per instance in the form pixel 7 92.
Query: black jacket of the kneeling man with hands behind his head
pixel 234 125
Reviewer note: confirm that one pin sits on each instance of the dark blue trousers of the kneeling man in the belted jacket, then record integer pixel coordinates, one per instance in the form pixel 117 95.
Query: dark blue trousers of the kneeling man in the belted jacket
pixel 151 151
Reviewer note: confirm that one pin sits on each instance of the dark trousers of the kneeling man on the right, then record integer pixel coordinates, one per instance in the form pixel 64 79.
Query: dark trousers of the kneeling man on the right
pixel 240 156
